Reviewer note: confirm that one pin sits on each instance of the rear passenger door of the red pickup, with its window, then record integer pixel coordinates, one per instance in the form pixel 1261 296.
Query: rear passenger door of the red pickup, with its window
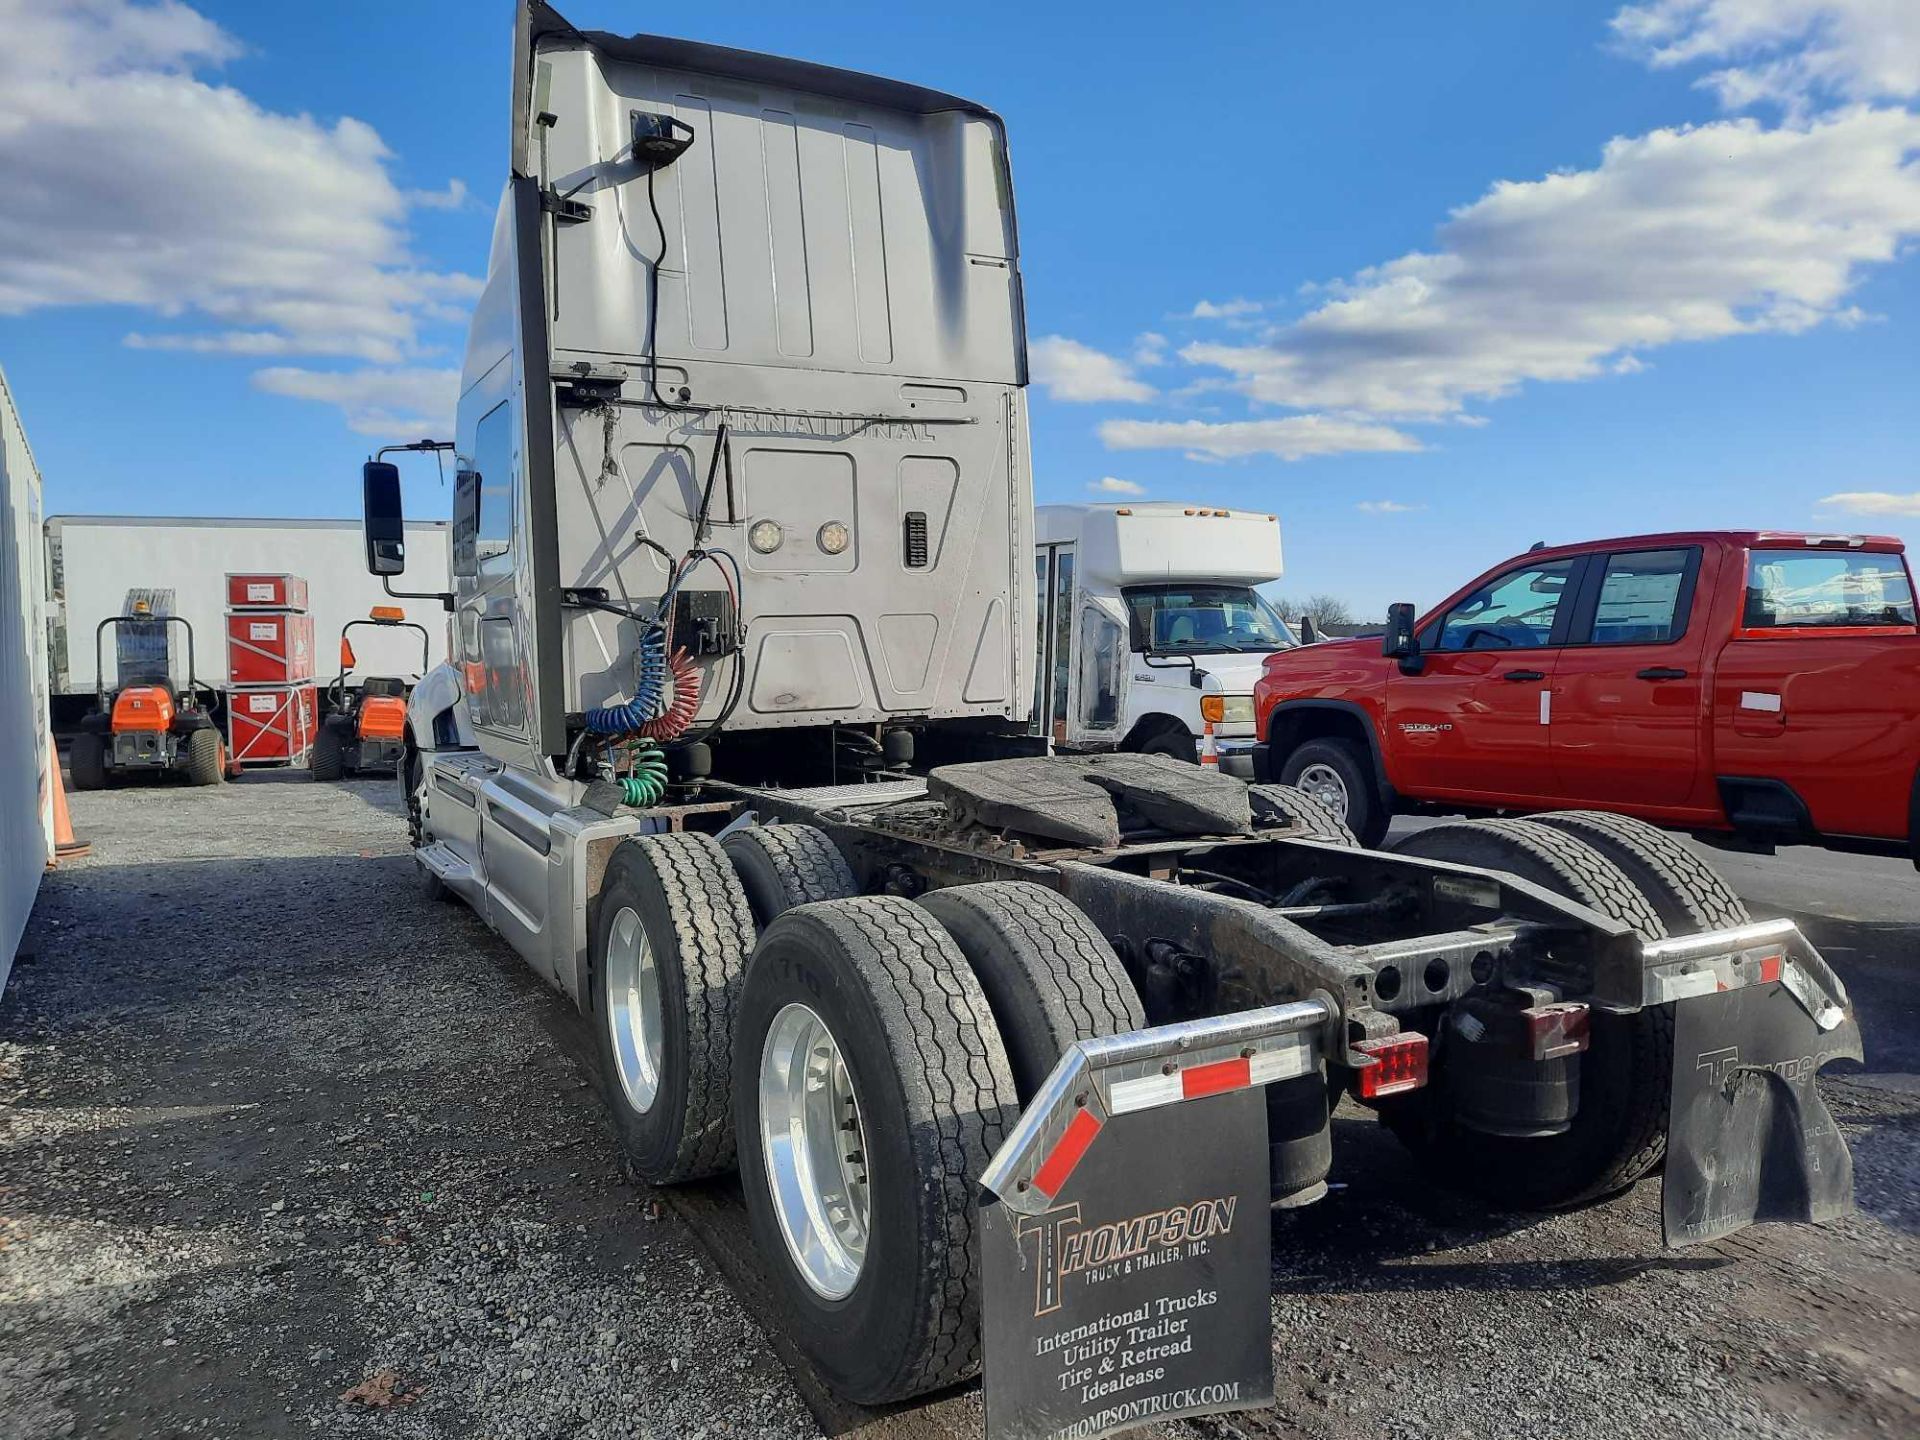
pixel 1629 702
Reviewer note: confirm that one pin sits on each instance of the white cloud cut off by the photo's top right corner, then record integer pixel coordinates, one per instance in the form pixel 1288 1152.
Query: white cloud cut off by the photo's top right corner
pixel 1788 53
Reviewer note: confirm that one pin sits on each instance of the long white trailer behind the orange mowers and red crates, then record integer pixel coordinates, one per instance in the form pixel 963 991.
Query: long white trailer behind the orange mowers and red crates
pixel 95 560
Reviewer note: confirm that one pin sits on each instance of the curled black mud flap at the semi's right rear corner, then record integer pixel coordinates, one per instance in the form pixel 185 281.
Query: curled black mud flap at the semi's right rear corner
pixel 1748 1136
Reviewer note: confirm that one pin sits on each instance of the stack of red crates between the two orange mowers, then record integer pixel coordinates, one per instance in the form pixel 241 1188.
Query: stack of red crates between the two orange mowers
pixel 272 706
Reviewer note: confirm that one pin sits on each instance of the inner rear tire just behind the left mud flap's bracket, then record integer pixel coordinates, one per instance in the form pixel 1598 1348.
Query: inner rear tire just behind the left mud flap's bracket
pixel 1049 976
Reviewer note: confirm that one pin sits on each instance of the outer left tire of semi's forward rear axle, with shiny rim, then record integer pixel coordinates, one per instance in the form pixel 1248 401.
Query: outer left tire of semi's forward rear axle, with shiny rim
pixel 671 942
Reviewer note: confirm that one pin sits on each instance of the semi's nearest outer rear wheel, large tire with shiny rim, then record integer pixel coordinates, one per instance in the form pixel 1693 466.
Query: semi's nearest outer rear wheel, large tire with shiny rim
pixel 901 1042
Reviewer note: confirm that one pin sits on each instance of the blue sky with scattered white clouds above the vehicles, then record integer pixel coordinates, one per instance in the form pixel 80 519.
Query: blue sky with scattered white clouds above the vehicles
pixel 1428 281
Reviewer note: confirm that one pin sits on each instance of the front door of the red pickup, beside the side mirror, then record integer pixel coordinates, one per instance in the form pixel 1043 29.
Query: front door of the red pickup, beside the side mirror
pixel 1472 723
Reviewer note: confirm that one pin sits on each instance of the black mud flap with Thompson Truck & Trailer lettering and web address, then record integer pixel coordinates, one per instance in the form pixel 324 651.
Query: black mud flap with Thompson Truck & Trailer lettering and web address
pixel 1141 1291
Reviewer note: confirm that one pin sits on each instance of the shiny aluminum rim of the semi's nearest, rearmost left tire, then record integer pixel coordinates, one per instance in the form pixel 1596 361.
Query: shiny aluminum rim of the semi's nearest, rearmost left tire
pixel 815 1151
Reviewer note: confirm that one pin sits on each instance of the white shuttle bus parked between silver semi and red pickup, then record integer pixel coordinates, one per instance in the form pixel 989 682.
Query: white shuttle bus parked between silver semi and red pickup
pixel 1151 627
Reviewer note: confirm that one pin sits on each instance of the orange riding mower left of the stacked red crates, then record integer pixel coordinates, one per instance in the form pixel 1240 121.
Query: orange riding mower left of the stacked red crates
pixel 149 725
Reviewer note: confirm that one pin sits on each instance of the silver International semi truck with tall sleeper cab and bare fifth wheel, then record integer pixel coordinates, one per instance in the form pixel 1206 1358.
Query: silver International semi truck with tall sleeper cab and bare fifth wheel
pixel 1013 1051
